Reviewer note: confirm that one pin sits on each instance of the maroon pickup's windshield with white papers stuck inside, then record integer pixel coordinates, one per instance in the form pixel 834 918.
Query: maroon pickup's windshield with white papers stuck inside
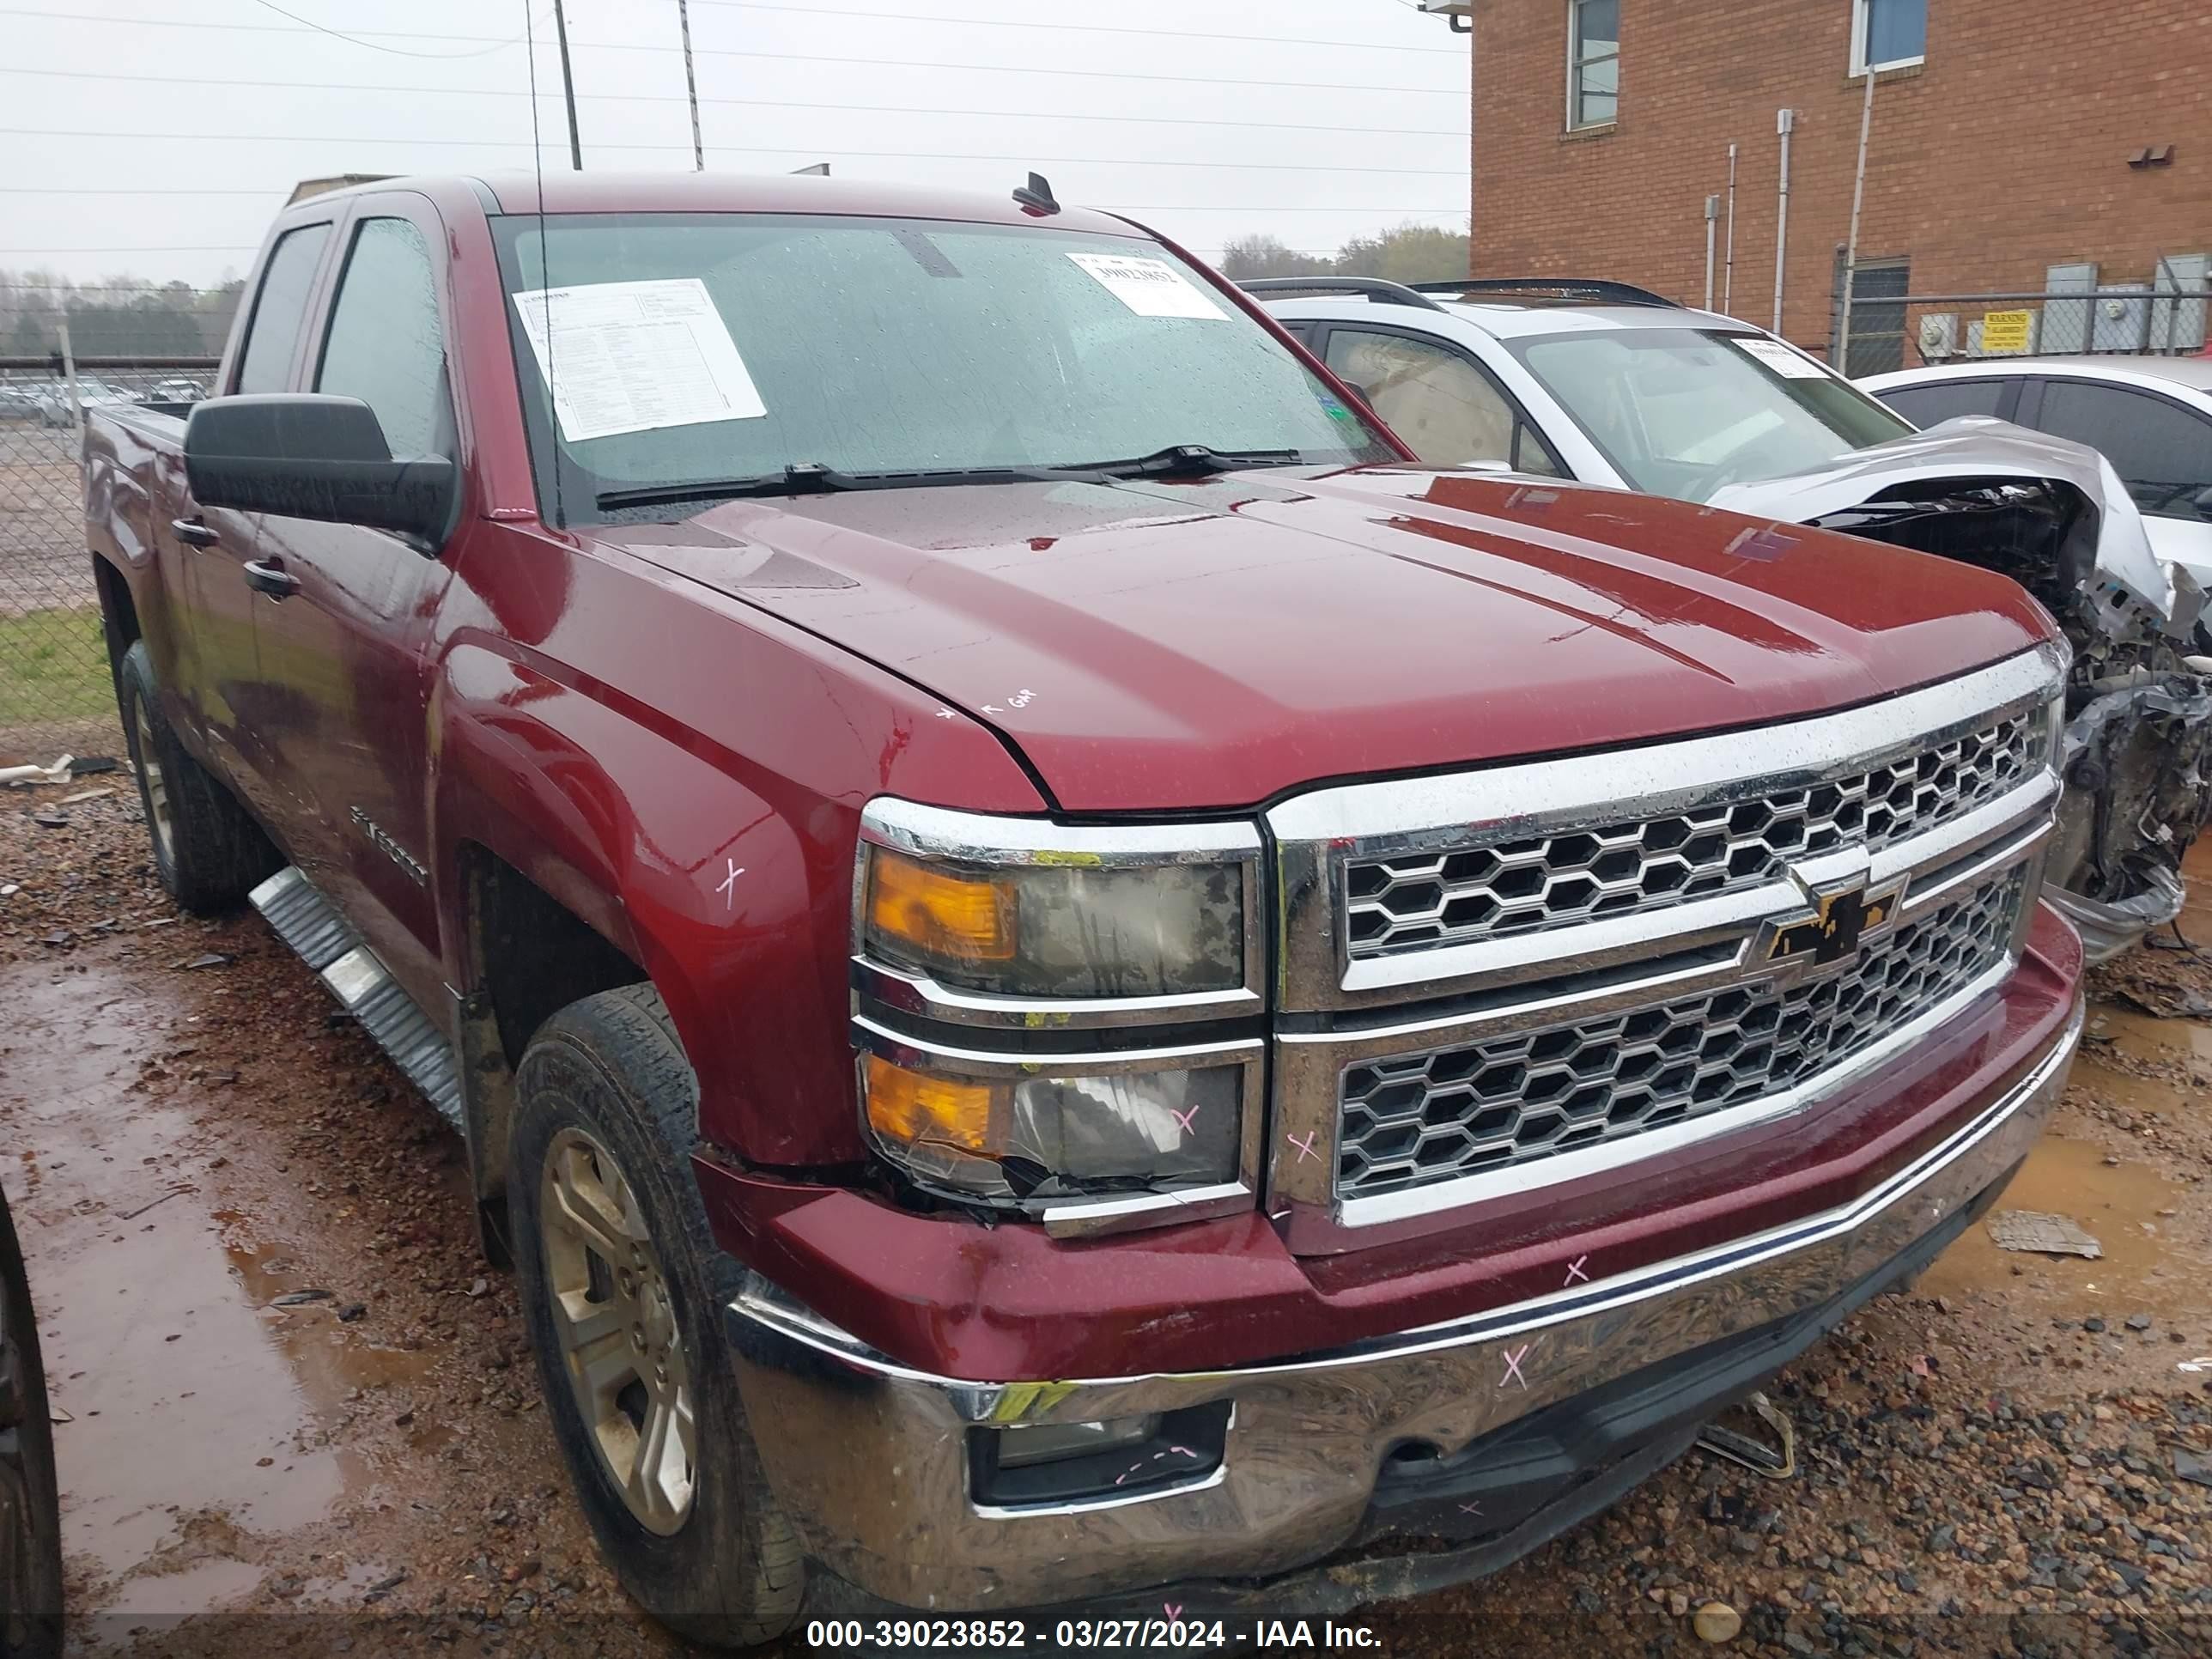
pixel 733 346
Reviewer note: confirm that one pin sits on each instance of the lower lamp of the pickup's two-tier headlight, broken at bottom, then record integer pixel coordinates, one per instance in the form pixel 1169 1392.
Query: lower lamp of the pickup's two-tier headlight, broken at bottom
pixel 1054 1136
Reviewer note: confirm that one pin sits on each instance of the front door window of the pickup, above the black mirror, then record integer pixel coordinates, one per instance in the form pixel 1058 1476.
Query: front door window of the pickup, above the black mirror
pixel 384 344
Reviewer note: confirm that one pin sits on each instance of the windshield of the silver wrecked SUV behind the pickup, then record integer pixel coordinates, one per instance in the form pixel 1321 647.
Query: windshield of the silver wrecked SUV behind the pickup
pixel 1682 413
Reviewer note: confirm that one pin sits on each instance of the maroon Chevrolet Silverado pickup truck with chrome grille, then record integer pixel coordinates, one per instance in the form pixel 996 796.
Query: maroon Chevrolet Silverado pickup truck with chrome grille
pixel 1072 988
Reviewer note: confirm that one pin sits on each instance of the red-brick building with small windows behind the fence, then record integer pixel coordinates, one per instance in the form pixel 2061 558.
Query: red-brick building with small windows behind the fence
pixel 2010 138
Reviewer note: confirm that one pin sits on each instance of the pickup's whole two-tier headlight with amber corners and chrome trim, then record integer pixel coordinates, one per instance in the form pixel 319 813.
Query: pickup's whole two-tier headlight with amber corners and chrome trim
pixel 1061 1019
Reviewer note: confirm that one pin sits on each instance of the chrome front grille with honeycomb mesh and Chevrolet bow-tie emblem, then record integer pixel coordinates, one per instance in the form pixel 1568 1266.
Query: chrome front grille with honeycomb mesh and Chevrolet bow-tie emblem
pixel 1525 974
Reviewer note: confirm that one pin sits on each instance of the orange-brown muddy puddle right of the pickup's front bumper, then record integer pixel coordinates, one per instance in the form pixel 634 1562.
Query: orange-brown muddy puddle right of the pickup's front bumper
pixel 2147 1266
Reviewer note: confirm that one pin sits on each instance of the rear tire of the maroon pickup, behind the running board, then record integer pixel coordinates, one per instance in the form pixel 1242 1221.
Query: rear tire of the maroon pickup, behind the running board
pixel 207 848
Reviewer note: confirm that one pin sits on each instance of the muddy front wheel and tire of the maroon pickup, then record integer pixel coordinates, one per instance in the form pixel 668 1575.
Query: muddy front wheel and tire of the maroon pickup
pixel 623 1291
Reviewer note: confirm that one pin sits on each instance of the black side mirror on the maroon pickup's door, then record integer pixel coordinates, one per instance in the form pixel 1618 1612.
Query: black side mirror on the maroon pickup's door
pixel 304 455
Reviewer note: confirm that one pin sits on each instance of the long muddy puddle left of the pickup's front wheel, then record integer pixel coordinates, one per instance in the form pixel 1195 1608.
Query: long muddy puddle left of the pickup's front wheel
pixel 185 1388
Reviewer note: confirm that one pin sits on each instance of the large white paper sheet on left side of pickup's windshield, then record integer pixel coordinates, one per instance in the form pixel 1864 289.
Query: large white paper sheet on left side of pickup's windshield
pixel 634 357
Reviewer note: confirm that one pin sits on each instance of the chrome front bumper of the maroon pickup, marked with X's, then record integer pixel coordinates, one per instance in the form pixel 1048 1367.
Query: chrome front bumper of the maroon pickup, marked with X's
pixel 870 1457
